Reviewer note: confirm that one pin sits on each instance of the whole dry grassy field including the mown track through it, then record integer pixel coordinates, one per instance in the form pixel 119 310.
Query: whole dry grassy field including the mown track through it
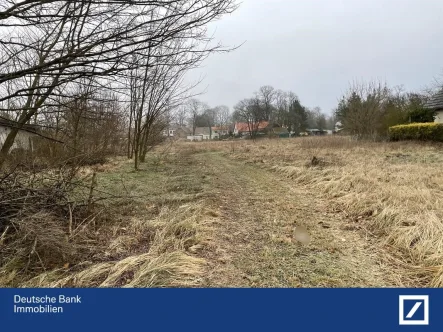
pixel 227 214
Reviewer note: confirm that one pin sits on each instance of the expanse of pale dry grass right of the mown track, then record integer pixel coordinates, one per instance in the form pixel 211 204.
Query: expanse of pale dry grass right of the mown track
pixel 394 190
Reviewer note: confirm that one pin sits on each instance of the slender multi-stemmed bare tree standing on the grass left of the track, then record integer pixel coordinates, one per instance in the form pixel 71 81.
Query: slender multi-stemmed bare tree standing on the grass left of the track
pixel 155 89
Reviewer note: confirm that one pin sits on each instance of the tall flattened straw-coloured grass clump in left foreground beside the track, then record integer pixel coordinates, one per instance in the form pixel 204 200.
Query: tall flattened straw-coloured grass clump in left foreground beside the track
pixel 155 253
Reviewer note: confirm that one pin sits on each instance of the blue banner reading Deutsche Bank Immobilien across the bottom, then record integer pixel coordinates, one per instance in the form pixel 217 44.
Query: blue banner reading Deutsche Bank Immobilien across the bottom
pixel 206 310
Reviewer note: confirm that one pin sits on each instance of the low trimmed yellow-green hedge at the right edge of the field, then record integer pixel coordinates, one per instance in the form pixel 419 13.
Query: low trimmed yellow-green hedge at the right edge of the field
pixel 417 131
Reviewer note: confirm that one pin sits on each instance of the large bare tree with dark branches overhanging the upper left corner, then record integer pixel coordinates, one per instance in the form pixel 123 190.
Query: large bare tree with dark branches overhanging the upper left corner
pixel 47 45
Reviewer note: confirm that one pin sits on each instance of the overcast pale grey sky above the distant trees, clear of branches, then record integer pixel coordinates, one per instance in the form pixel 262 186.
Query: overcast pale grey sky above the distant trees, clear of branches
pixel 316 47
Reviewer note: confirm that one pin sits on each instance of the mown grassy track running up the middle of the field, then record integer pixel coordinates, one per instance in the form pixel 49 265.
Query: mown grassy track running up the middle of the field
pixel 254 235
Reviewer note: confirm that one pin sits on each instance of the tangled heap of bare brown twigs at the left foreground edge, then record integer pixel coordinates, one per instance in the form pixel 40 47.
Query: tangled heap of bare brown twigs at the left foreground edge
pixel 39 212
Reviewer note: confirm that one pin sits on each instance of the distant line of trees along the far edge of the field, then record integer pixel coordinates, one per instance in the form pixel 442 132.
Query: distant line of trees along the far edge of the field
pixel 366 110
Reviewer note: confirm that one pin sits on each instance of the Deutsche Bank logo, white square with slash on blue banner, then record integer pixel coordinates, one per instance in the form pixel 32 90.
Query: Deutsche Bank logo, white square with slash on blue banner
pixel 414 309
